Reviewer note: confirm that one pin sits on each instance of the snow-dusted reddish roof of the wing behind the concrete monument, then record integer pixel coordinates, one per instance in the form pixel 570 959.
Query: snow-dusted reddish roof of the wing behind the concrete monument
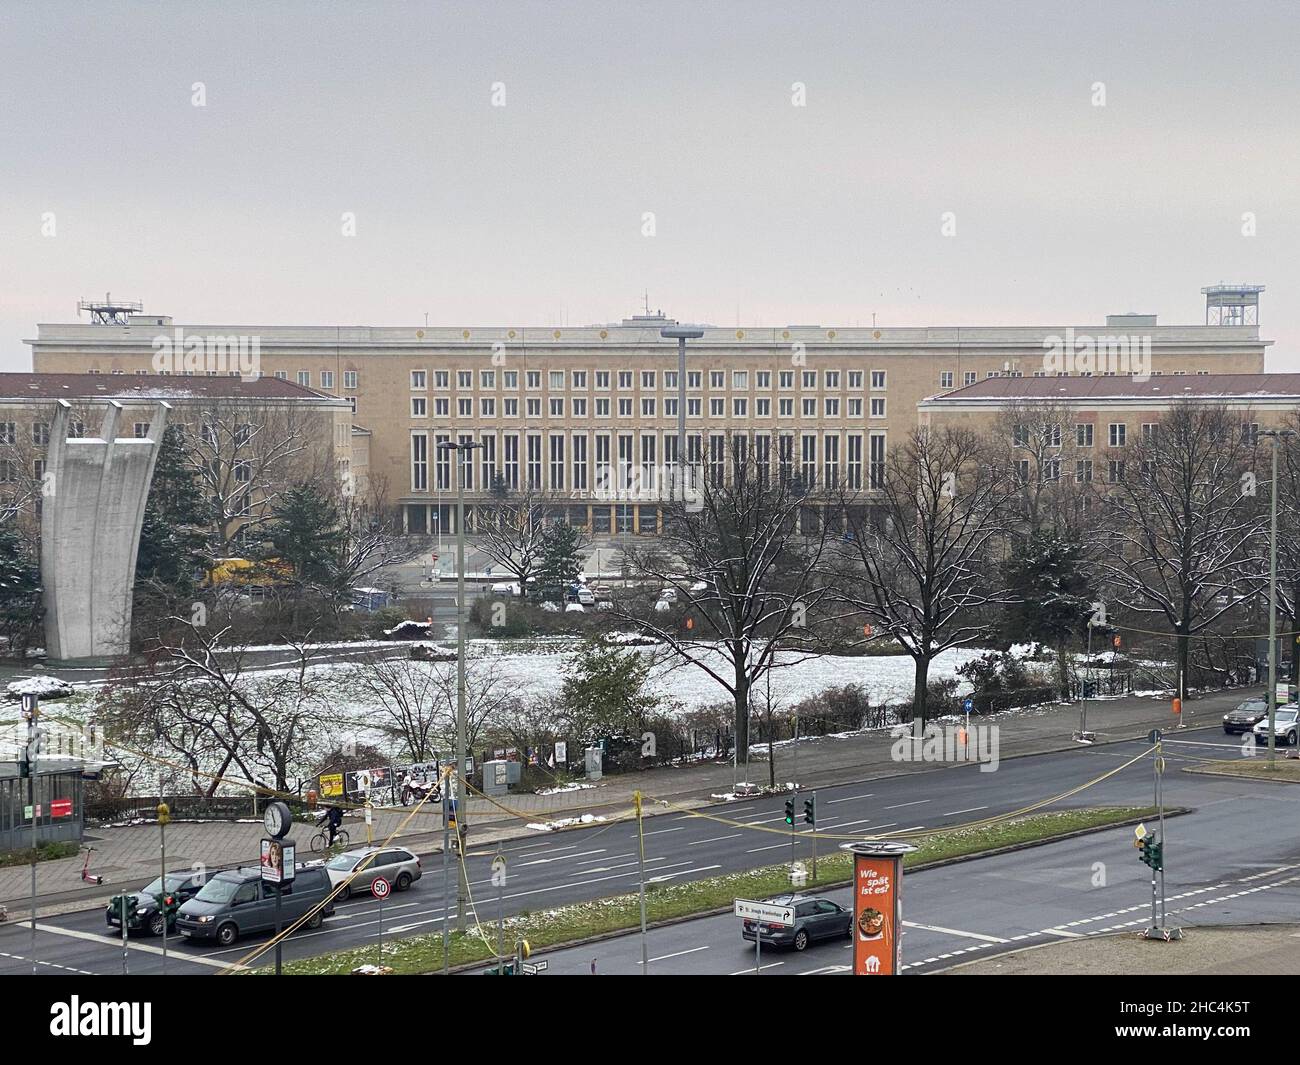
pixel 146 387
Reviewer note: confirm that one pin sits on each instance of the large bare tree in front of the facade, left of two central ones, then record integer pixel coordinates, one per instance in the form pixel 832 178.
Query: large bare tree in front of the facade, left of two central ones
pixel 746 560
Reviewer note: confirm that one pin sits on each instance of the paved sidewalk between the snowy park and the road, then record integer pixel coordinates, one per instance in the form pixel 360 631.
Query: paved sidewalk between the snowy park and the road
pixel 129 856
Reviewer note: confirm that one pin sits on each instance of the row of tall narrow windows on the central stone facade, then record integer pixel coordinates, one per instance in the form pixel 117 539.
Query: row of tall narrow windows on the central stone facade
pixel 640 462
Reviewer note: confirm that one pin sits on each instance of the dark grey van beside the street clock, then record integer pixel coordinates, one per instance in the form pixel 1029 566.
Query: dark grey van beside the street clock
pixel 237 903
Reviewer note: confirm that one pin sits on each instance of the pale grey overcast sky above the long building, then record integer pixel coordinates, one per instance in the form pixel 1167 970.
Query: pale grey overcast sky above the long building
pixel 534 214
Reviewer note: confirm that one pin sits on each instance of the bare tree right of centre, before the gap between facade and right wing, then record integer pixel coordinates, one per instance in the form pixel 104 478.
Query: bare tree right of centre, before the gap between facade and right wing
pixel 921 564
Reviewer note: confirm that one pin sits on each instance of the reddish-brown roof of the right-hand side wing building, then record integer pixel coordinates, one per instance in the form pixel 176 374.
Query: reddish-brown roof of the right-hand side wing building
pixel 999 391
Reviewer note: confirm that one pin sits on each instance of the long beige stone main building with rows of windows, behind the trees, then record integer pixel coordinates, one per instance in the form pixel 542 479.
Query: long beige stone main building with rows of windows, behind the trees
pixel 588 415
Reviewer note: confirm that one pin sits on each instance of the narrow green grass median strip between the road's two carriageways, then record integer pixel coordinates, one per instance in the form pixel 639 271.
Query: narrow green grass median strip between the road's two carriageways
pixel 423 954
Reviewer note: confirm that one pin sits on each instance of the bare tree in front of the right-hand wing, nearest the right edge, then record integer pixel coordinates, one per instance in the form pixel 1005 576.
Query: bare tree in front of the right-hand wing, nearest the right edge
pixel 1184 544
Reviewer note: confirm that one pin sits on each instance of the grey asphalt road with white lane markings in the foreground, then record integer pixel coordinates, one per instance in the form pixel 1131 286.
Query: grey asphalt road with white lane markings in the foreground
pixel 1236 833
